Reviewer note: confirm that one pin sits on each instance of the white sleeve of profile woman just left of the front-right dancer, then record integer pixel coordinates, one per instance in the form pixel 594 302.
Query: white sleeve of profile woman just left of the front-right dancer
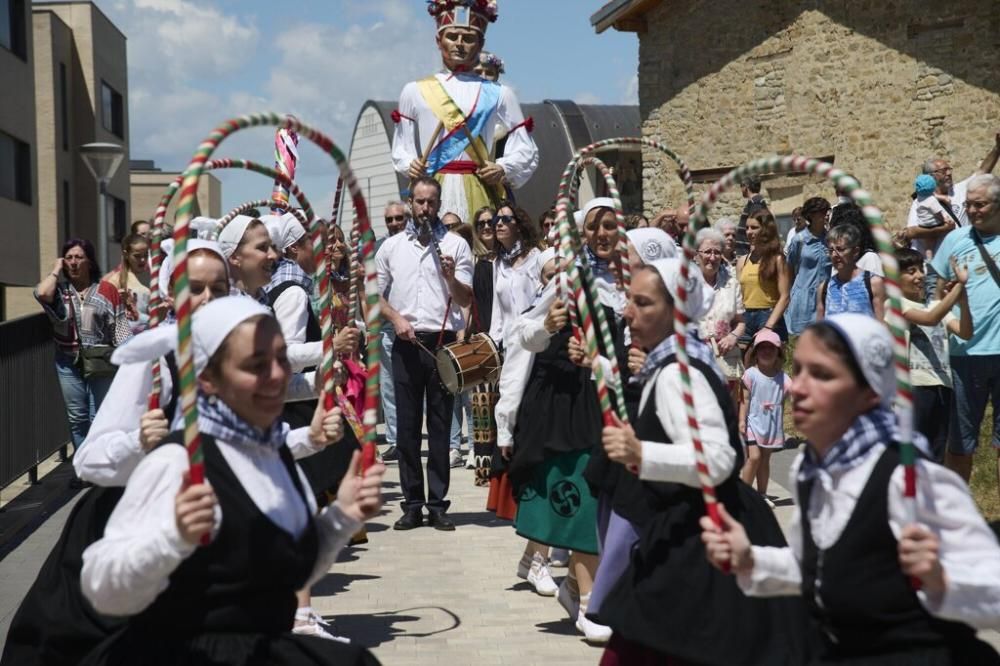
pixel 676 462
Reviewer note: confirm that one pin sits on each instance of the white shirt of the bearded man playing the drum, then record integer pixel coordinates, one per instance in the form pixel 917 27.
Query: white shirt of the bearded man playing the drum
pixel 419 291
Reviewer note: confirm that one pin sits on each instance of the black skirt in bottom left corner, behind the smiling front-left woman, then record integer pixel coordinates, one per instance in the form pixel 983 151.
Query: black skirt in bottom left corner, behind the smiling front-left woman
pixel 55 624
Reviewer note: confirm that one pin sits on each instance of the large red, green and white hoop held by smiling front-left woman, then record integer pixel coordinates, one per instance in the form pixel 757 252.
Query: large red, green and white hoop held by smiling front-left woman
pixel 182 297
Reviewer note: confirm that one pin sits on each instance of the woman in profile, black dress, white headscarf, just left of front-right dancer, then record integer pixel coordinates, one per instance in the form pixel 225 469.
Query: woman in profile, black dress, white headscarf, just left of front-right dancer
pixel 669 607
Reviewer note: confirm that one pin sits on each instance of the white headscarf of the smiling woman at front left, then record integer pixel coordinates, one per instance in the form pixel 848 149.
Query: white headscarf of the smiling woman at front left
pixel 210 326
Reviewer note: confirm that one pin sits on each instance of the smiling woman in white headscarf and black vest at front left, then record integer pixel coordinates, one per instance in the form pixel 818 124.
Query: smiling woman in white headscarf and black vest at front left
pixel 212 604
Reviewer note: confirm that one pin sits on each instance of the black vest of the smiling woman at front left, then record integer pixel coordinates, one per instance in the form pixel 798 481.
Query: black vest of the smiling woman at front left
pixel 245 579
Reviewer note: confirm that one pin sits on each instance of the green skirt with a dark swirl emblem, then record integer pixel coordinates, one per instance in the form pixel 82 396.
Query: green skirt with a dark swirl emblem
pixel 556 507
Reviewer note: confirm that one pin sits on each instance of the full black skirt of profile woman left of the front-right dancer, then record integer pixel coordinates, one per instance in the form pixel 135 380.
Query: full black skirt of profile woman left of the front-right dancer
pixel 672 601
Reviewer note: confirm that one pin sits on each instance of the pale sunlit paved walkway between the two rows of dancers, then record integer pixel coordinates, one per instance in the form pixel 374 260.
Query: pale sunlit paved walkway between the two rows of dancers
pixel 423 596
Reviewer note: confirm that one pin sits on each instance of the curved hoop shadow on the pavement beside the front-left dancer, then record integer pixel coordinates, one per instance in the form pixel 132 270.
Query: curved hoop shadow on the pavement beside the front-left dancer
pixel 371 630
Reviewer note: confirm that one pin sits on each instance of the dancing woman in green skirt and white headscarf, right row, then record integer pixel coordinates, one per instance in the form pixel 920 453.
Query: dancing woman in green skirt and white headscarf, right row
pixel 559 423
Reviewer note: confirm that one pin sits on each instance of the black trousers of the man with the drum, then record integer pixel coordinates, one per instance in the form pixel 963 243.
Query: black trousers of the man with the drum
pixel 416 378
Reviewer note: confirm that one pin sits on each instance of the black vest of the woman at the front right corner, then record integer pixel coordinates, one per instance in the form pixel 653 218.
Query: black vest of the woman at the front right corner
pixel 857 594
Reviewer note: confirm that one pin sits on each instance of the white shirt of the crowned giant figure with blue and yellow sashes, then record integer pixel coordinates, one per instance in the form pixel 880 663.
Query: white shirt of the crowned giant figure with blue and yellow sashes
pixel 520 158
